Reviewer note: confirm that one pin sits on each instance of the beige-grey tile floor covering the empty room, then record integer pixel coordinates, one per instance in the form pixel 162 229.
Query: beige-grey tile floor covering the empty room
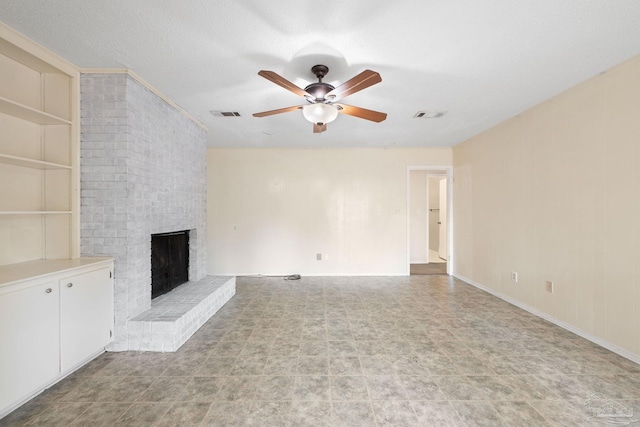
pixel 403 351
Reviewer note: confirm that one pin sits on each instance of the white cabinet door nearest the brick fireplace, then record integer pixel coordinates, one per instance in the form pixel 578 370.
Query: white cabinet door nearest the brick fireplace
pixel 86 316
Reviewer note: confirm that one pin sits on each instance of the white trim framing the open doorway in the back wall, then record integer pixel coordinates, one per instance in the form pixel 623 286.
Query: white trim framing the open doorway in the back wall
pixel 435 170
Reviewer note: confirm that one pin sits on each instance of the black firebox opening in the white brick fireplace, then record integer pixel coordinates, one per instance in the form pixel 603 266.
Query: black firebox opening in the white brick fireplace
pixel 169 261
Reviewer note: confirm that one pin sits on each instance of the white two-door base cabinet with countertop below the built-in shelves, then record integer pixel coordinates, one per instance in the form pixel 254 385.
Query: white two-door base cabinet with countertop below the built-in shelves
pixel 55 315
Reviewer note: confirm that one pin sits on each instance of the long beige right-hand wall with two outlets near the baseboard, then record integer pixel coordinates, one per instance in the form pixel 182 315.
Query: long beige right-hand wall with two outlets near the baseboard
pixel 554 194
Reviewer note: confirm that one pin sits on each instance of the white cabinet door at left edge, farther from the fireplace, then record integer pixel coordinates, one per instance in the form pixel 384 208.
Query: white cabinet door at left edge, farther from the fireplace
pixel 29 346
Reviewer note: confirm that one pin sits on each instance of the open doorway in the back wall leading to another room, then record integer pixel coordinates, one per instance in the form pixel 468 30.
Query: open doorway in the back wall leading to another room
pixel 428 220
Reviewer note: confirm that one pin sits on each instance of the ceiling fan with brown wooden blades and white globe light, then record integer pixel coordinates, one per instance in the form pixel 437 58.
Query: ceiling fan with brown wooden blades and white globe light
pixel 321 97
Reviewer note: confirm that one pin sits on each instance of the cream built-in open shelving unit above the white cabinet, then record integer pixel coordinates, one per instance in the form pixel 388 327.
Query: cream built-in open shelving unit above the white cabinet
pixel 39 153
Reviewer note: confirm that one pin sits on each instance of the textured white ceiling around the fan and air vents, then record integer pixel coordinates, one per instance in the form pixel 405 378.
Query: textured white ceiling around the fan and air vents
pixel 480 61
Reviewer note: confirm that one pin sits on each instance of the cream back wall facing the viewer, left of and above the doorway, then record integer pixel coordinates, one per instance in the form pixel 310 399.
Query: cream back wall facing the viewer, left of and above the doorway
pixel 270 211
